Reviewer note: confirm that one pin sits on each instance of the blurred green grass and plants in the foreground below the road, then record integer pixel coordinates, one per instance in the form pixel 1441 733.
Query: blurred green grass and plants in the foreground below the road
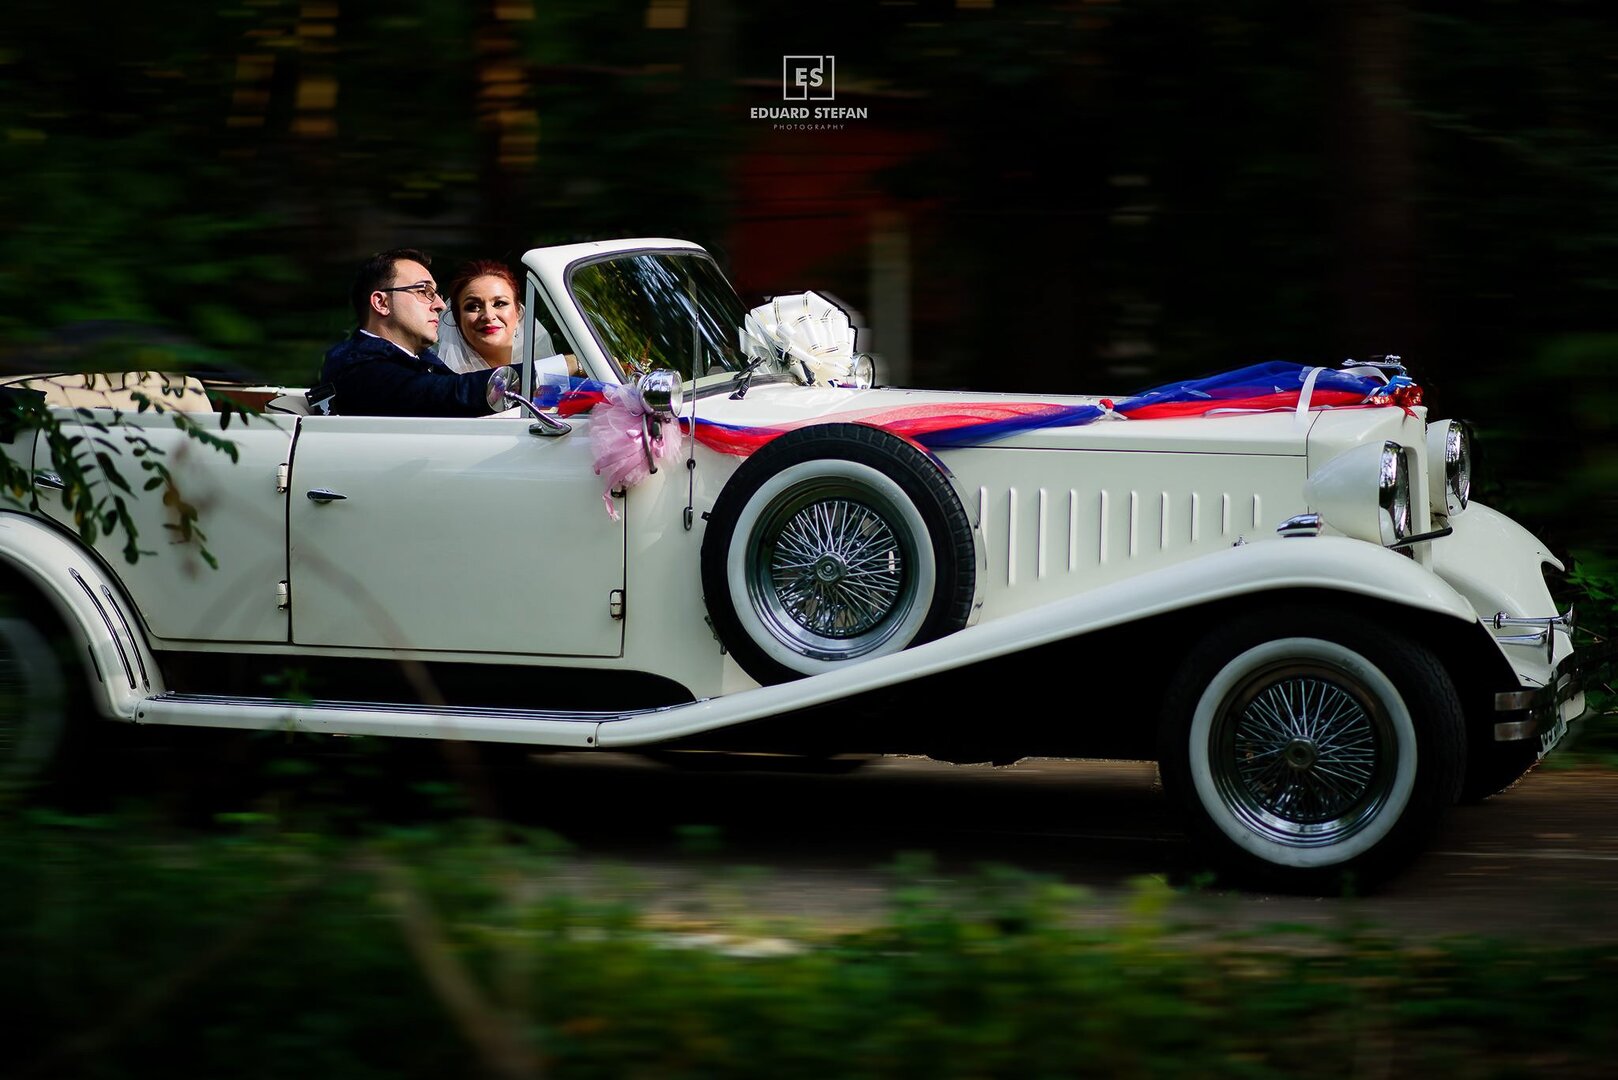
pixel 455 953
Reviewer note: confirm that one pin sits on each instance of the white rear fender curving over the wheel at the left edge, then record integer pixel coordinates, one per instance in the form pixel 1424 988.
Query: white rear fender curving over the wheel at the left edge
pixel 95 611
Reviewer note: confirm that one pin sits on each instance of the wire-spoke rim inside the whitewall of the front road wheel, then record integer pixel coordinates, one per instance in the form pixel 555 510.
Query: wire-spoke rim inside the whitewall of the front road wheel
pixel 1303 755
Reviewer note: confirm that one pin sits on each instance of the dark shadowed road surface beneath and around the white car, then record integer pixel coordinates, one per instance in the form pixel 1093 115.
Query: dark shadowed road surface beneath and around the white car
pixel 731 846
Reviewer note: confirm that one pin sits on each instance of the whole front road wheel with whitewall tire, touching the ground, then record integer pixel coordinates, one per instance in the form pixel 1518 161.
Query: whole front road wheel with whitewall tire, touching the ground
pixel 1311 750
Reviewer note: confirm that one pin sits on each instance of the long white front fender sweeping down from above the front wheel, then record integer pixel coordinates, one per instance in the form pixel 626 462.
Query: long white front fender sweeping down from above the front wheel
pixel 1263 569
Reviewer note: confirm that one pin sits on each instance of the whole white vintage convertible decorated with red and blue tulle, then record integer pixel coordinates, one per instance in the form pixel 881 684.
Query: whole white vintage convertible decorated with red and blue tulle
pixel 1271 582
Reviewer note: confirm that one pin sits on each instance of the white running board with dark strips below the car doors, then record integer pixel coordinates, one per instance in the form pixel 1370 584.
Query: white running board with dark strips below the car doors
pixel 540 728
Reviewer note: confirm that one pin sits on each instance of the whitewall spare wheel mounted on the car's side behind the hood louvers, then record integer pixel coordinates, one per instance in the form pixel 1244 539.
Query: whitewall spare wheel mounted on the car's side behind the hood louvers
pixel 836 543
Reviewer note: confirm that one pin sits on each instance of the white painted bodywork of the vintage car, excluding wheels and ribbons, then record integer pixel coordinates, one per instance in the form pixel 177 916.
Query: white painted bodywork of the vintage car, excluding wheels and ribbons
pixel 478 545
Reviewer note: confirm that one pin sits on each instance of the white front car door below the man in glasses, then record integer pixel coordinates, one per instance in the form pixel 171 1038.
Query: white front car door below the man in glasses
pixel 452 535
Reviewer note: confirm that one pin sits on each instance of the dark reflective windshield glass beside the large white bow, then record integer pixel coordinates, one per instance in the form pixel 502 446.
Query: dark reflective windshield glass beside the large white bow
pixel 664 310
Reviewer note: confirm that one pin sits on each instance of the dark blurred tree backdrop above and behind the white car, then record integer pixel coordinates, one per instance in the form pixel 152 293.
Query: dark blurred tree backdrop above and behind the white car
pixel 1098 197
